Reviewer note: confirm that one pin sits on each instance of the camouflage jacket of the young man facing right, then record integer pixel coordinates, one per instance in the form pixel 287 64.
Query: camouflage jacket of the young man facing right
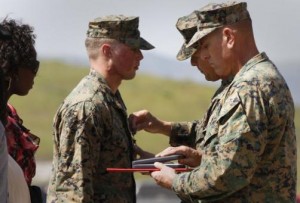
pixel 91 134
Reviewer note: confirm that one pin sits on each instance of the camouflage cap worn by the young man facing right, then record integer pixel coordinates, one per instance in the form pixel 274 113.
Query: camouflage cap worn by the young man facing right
pixel 119 27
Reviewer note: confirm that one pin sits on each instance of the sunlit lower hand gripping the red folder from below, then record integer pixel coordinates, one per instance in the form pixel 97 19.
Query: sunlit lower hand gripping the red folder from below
pixel 165 176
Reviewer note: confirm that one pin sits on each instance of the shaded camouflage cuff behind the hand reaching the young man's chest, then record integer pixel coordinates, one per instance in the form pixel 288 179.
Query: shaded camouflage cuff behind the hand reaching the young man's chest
pixel 182 133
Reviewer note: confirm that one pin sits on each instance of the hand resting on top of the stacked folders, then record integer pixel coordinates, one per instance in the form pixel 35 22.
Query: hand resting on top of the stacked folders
pixel 192 157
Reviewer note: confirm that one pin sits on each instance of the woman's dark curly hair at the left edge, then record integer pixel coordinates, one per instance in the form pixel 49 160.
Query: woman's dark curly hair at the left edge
pixel 18 51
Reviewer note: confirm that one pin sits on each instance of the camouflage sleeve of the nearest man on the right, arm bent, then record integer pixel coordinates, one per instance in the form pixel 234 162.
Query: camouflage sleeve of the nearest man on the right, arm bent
pixel 232 147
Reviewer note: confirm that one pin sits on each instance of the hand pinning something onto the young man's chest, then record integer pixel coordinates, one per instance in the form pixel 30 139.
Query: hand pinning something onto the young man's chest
pixel 144 120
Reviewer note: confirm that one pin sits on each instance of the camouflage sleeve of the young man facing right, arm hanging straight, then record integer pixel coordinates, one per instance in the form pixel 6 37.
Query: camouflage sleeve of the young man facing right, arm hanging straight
pixel 79 148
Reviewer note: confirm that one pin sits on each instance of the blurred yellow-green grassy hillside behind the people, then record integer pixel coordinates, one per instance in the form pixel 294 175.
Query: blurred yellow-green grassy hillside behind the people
pixel 167 99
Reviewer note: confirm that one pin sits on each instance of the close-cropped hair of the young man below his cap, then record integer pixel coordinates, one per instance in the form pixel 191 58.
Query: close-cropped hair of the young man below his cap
pixel 93 45
